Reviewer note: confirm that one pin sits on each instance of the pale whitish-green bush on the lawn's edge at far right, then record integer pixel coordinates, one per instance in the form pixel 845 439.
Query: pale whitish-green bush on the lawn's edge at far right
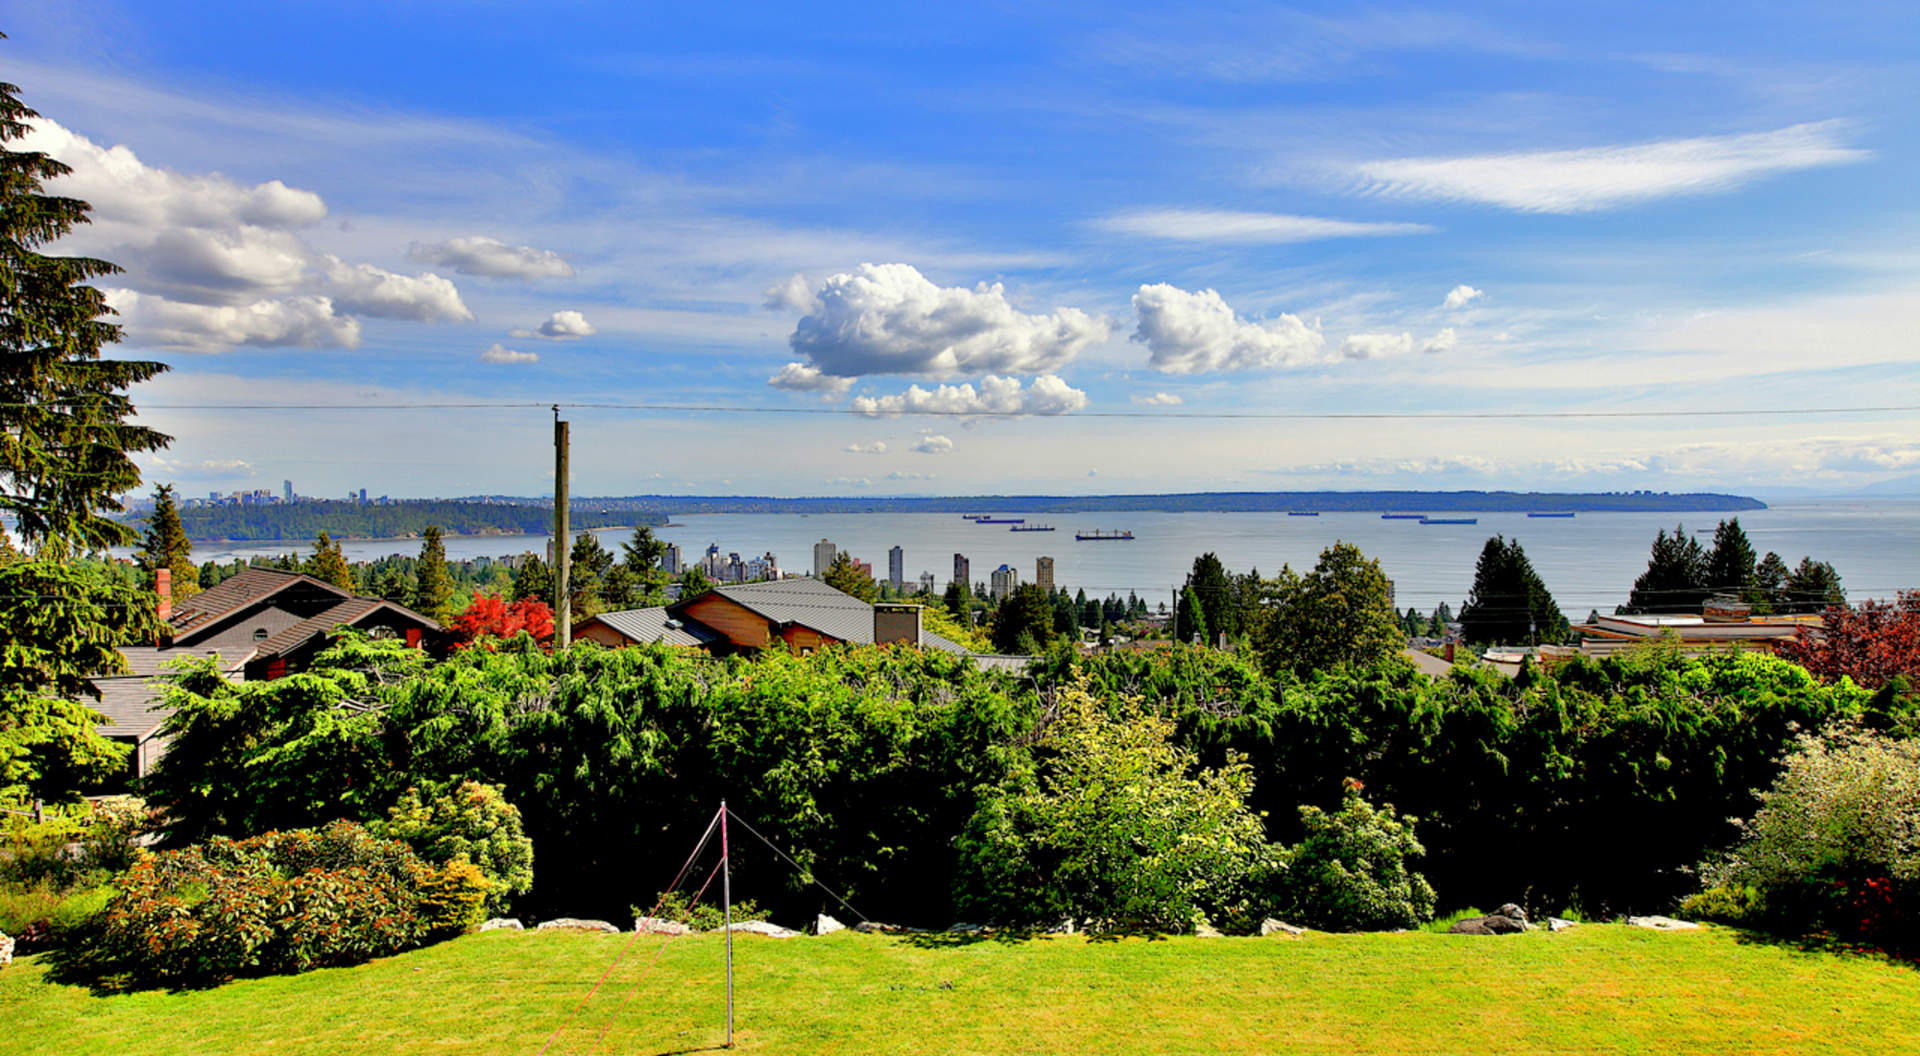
pixel 1836 842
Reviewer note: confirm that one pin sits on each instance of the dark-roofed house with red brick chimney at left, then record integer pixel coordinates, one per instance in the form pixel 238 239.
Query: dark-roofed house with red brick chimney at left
pixel 260 625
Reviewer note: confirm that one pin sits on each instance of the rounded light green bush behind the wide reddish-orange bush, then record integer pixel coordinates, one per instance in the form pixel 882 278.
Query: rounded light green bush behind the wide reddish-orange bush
pixel 473 823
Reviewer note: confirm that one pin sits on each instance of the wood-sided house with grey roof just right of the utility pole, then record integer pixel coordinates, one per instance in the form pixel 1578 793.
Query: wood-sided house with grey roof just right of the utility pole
pixel 804 615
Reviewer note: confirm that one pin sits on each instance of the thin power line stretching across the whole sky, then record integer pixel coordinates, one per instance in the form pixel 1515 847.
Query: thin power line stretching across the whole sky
pixel 938 414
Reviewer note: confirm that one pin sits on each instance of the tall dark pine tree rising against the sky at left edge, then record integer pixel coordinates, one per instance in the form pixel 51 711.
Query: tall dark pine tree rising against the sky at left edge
pixel 64 433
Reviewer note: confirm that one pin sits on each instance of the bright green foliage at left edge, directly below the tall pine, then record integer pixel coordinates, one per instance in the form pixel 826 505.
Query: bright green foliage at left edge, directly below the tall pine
pixel 60 627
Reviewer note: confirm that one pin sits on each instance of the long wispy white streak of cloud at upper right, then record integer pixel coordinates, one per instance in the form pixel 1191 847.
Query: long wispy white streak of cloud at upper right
pixel 1606 178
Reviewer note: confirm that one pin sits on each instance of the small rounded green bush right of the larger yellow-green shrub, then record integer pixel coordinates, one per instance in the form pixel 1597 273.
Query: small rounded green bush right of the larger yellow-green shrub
pixel 1351 873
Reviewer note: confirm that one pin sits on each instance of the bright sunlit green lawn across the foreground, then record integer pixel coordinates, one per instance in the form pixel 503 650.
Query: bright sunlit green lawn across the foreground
pixel 1591 990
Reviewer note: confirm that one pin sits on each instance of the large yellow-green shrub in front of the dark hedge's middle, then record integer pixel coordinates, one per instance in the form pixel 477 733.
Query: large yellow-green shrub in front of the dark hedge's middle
pixel 1116 827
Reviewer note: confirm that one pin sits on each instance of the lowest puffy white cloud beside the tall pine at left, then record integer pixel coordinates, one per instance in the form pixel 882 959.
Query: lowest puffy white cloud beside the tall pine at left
pixel 300 322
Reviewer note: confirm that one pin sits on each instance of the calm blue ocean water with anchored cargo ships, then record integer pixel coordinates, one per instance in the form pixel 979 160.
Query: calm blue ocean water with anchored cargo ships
pixel 1587 562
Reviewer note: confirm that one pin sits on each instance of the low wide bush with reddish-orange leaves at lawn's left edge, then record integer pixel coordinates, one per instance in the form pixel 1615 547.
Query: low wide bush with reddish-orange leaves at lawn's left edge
pixel 274 903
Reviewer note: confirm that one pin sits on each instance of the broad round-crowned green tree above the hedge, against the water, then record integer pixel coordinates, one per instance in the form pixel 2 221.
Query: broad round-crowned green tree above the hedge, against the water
pixel 1339 613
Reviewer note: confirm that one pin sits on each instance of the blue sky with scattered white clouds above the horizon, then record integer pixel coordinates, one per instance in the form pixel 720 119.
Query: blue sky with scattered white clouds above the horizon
pixel 1061 214
